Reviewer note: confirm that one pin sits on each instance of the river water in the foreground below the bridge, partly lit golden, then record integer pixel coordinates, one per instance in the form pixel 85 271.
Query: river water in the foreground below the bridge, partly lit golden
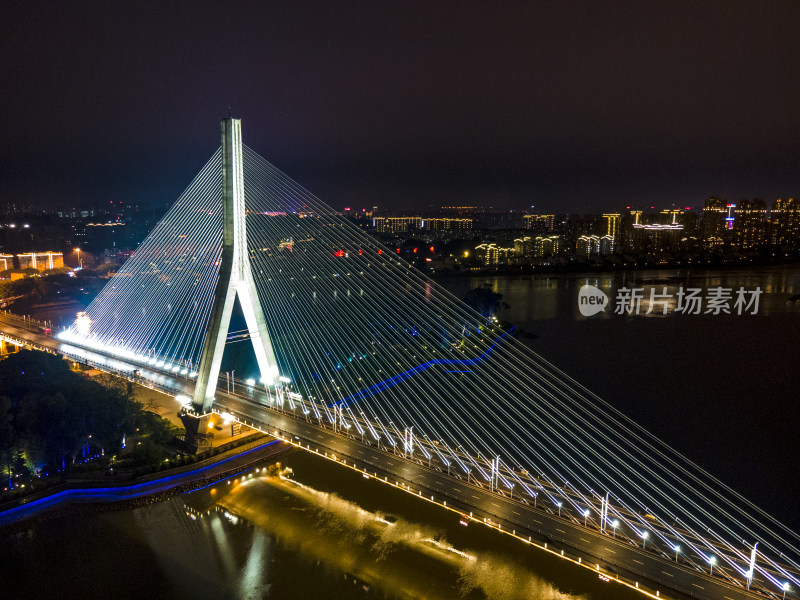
pixel 327 533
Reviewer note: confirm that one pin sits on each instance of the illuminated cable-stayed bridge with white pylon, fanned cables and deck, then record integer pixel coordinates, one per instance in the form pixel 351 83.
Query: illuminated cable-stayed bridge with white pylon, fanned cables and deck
pixel 362 354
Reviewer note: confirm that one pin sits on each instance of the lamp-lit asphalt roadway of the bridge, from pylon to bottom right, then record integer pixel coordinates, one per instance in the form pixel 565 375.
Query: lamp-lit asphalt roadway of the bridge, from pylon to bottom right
pixel 613 554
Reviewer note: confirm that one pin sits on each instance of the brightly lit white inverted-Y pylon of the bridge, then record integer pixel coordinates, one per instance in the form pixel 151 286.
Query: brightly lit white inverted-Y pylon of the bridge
pixel 235 278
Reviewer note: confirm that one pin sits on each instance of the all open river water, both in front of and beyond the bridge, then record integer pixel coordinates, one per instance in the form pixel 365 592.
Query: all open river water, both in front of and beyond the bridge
pixel 722 389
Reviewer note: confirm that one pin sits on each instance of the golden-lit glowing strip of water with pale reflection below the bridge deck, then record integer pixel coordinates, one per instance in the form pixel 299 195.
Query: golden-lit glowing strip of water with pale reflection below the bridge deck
pixel 375 552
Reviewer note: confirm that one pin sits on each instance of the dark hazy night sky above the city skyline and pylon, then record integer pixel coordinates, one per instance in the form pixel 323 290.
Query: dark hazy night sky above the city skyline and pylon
pixel 562 105
